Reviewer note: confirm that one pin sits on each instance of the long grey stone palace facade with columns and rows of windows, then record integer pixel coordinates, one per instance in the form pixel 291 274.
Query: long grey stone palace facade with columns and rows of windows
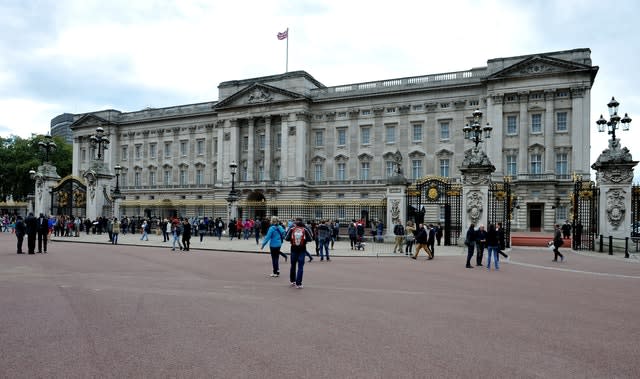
pixel 287 139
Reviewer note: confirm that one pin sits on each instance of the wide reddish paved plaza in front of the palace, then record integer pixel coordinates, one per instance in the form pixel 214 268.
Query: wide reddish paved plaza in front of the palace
pixel 89 309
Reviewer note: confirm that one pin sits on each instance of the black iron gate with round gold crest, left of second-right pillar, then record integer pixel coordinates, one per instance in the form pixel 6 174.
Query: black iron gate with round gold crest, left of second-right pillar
pixel 435 200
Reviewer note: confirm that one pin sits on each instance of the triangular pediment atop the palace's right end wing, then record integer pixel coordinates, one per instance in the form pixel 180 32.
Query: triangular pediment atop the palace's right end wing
pixel 540 65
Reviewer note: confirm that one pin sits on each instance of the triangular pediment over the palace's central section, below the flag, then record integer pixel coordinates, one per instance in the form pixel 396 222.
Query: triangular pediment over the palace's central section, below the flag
pixel 258 94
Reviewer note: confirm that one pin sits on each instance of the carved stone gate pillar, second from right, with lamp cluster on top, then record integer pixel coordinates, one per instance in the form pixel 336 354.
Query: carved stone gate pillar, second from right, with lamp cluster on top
pixel 476 172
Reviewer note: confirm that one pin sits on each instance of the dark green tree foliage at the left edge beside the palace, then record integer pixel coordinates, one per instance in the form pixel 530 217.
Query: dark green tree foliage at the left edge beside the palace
pixel 19 155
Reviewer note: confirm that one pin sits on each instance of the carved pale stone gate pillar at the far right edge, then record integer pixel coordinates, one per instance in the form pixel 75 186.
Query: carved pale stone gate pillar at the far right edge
pixel 614 176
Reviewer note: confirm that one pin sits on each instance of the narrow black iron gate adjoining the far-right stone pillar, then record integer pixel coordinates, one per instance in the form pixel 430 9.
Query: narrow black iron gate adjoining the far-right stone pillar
pixel 585 214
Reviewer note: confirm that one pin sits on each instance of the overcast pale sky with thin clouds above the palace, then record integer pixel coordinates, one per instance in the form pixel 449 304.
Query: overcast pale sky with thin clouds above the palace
pixel 82 56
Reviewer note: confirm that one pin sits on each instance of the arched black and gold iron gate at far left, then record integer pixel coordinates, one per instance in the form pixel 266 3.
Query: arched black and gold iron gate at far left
pixel 69 198
